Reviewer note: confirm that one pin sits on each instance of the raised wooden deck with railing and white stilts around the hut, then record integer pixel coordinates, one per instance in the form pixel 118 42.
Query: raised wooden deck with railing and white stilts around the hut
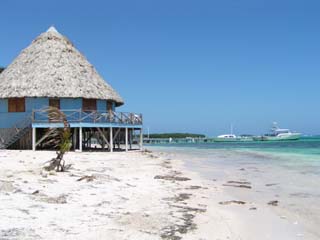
pixel 114 128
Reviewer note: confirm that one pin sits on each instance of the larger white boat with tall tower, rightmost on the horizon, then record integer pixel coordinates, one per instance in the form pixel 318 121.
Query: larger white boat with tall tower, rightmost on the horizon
pixel 278 134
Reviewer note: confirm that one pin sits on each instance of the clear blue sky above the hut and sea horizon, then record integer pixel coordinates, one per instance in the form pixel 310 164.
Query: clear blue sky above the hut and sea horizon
pixel 190 66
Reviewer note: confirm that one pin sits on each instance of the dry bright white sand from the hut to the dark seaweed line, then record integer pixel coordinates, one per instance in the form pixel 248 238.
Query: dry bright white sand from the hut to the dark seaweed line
pixel 122 200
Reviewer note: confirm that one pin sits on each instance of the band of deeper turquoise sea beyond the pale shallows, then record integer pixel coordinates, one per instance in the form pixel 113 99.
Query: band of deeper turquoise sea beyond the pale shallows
pixel 301 153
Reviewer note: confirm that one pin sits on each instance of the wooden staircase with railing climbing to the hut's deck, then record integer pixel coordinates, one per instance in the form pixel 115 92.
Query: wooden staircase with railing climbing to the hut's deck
pixel 11 135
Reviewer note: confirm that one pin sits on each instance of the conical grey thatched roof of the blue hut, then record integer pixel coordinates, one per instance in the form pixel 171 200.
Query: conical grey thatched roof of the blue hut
pixel 52 67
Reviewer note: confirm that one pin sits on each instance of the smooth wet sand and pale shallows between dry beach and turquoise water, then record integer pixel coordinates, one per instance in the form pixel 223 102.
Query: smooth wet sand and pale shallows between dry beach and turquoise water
pixel 254 198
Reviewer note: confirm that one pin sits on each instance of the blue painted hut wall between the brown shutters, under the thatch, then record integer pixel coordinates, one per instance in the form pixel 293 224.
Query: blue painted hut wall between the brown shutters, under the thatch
pixel 8 120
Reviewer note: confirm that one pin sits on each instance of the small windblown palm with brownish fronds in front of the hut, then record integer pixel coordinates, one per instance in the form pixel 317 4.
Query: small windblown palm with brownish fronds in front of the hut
pixel 58 138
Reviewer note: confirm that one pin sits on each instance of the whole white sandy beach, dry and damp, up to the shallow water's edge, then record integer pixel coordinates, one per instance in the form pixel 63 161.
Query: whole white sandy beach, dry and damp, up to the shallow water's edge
pixel 123 196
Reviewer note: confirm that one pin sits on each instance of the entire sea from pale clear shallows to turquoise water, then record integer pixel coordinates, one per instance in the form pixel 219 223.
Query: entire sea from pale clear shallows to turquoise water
pixel 288 172
